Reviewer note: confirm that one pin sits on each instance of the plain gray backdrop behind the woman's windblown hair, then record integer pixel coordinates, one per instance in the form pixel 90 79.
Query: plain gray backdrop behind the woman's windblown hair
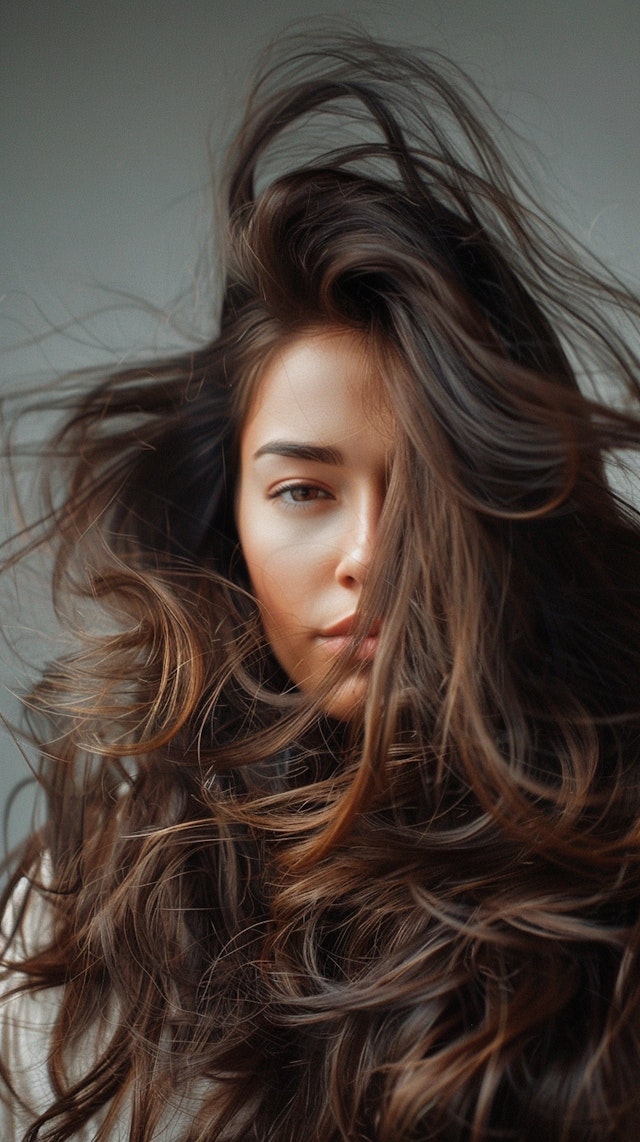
pixel 107 109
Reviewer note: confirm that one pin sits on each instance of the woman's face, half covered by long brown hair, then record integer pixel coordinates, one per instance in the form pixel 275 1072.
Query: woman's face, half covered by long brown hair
pixel 314 464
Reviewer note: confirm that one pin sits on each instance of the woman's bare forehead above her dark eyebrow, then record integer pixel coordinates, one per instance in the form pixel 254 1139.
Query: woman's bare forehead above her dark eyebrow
pixel 322 385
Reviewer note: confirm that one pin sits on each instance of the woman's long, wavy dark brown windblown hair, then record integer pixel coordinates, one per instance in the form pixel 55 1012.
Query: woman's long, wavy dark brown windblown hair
pixel 425 924
